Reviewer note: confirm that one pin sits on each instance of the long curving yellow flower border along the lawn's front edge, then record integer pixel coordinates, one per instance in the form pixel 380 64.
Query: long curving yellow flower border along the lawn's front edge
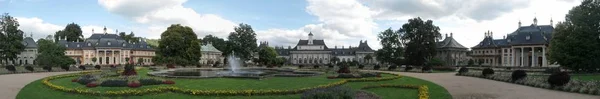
pixel 250 92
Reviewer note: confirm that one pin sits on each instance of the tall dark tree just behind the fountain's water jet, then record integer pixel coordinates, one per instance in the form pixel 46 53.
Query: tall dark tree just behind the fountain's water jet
pixel 243 41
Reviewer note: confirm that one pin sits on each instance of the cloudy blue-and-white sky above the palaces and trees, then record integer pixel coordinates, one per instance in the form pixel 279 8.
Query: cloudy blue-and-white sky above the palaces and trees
pixel 284 22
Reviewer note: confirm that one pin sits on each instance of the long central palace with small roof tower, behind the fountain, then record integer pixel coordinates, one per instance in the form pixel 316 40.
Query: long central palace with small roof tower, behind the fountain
pixel 315 52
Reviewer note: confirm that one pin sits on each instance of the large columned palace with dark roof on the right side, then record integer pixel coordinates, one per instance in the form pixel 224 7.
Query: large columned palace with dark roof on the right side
pixel 525 47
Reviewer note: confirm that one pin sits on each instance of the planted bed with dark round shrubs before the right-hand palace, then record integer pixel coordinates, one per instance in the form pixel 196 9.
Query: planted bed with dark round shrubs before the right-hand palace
pixel 574 85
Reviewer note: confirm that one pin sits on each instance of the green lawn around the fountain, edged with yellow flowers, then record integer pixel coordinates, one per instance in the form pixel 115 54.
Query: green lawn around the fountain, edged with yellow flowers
pixel 36 90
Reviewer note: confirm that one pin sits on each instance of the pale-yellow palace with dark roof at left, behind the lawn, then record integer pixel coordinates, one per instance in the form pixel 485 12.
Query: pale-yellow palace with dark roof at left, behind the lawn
pixel 108 49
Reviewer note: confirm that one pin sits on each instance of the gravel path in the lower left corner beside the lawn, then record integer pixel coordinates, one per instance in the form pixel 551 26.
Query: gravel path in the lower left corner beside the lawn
pixel 11 84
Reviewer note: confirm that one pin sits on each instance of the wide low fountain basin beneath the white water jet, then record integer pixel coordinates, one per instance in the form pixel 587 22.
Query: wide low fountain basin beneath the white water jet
pixel 257 73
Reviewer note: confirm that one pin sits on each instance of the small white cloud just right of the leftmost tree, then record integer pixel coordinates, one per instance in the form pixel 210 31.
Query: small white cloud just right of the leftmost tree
pixel 37 27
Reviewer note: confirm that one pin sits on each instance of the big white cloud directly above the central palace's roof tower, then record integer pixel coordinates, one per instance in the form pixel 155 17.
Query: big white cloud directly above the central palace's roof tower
pixel 341 23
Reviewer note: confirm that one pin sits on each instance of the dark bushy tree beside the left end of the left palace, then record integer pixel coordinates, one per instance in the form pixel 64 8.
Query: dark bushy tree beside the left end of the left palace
pixel 52 54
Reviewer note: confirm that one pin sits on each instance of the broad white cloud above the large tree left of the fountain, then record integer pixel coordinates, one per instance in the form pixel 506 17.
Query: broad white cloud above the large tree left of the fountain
pixel 163 13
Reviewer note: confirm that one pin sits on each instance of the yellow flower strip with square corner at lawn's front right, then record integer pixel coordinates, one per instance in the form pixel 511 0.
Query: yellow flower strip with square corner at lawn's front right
pixel 423 89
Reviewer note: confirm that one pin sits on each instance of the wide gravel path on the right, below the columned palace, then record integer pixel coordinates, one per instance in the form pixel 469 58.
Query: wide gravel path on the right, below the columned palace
pixel 461 87
